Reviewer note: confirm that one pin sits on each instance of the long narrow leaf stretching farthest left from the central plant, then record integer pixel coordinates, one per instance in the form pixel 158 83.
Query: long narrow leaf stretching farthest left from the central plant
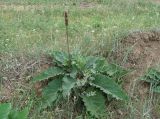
pixel 51 72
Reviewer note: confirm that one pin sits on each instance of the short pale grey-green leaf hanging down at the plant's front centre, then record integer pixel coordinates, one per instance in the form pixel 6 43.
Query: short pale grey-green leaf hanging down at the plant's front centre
pixel 67 85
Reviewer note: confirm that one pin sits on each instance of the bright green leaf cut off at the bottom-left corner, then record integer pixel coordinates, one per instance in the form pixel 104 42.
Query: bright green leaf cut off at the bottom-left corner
pixel 5 110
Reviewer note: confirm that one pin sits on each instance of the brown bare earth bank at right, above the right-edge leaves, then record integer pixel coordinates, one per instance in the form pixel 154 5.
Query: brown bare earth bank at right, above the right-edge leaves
pixel 140 50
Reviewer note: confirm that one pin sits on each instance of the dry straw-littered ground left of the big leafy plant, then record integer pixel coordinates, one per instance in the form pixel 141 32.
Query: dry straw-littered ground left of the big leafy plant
pixel 16 72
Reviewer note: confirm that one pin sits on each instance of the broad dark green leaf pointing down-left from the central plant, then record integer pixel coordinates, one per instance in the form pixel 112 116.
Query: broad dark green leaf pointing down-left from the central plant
pixel 50 93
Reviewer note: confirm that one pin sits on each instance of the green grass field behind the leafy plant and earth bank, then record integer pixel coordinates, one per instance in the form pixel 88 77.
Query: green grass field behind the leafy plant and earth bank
pixel 97 27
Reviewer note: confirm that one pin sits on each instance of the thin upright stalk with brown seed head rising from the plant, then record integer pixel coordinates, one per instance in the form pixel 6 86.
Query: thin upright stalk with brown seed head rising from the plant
pixel 67 38
